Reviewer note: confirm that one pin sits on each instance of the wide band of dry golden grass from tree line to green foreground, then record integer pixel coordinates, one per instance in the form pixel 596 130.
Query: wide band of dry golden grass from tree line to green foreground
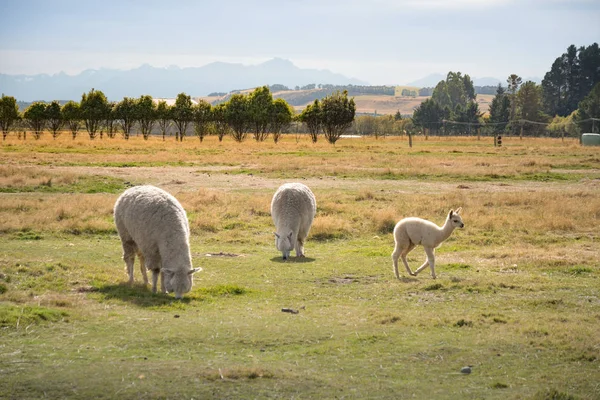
pixel 360 184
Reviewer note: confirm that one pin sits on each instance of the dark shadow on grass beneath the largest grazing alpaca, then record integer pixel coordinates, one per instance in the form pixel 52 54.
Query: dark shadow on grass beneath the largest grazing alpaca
pixel 139 295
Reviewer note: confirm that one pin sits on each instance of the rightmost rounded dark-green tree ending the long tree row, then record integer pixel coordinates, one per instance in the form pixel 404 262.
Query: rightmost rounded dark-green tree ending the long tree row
pixel 337 115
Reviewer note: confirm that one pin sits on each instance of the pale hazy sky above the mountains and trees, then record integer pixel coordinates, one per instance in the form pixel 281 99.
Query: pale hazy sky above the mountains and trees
pixel 378 41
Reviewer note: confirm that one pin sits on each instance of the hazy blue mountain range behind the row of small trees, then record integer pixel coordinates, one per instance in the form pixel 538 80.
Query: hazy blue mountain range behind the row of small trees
pixel 166 82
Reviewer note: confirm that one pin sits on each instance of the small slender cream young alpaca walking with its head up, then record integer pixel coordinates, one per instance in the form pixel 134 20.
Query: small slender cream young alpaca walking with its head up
pixel 411 232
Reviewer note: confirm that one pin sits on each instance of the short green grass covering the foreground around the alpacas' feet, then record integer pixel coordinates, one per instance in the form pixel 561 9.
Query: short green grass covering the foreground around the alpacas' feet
pixel 359 331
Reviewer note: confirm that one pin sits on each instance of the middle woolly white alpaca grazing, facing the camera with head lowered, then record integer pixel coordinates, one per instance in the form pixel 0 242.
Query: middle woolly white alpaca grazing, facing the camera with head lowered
pixel 293 209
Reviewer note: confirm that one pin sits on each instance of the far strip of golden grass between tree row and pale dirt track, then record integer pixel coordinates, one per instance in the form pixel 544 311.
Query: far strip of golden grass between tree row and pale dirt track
pixel 436 156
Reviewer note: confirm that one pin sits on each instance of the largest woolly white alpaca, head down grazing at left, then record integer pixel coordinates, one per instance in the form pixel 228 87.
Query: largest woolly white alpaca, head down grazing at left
pixel 154 225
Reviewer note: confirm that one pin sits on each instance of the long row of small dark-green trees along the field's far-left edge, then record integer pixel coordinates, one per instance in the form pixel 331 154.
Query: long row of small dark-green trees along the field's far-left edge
pixel 256 113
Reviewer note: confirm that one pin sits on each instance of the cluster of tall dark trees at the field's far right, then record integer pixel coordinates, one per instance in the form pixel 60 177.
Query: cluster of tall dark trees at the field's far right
pixel 569 90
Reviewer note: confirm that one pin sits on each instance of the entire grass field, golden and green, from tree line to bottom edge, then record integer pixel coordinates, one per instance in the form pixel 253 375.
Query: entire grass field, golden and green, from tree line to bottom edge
pixel 517 296
